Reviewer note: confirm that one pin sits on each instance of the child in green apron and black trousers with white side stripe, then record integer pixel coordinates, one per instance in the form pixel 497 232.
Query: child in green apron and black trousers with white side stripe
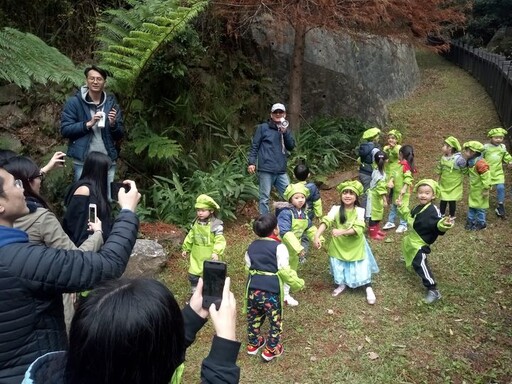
pixel 426 225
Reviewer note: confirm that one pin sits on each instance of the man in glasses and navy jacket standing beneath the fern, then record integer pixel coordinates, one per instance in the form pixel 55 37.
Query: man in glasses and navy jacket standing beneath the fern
pixel 92 121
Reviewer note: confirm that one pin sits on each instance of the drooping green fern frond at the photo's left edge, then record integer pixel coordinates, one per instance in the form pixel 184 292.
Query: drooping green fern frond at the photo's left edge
pixel 26 60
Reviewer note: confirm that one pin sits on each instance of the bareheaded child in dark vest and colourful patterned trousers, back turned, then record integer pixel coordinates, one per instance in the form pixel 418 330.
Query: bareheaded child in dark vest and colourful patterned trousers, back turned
pixel 267 262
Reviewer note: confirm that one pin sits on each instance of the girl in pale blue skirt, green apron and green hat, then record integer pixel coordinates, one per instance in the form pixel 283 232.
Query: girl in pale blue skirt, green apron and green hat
pixel 351 260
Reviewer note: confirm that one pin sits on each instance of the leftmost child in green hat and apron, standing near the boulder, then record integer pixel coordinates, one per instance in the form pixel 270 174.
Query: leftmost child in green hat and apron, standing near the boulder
pixel 205 240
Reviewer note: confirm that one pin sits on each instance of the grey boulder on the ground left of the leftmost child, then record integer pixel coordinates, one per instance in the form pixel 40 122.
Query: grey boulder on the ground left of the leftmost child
pixel 147 259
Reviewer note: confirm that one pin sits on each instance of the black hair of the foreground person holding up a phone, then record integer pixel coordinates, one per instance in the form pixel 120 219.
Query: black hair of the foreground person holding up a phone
pixel 126 331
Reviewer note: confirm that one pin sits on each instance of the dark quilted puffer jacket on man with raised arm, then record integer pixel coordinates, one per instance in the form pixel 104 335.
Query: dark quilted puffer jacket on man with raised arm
pixel 32 280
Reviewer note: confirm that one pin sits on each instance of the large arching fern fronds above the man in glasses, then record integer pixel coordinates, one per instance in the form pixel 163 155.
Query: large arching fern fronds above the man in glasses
pixel 131 37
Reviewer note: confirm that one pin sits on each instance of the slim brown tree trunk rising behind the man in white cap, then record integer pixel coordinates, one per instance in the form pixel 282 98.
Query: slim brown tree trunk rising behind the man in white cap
pixel 295 106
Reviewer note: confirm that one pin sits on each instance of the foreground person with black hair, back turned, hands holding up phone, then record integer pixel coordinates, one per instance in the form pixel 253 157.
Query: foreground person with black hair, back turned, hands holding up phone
pixel 132 331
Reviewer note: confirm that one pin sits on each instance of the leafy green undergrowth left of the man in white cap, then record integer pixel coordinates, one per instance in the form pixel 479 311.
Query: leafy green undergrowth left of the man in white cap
pixel 172 201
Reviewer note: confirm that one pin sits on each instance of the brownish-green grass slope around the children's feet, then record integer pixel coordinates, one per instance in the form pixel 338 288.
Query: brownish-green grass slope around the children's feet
pixel 464 338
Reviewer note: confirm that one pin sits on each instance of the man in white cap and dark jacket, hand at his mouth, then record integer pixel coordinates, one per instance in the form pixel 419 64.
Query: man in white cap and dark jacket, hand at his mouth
pixel 269 150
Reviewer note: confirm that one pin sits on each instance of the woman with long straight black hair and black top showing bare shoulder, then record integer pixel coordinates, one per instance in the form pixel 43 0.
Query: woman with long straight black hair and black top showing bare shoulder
pixel 91 188
